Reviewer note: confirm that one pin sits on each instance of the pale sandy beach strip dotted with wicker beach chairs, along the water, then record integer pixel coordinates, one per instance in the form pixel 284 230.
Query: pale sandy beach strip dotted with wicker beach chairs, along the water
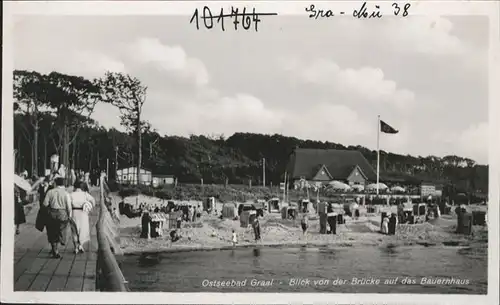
pixel 211 233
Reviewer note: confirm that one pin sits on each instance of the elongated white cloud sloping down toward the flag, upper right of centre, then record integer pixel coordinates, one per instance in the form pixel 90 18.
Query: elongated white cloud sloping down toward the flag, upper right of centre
pixel 366 83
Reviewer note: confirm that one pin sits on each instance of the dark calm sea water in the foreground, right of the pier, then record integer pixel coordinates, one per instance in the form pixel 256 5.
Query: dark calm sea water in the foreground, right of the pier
pixel 191 271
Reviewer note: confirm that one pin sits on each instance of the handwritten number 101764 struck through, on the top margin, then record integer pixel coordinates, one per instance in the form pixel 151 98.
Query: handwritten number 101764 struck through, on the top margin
pixel 236 17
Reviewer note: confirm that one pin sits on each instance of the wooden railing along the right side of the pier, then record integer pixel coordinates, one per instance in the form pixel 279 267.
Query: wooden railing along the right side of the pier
pixel 109 276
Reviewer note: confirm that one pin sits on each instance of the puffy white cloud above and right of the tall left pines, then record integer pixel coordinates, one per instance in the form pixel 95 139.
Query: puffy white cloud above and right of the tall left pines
pixel 169 58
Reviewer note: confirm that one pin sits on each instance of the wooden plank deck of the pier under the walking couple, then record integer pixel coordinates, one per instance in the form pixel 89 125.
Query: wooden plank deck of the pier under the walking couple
pixel 35 270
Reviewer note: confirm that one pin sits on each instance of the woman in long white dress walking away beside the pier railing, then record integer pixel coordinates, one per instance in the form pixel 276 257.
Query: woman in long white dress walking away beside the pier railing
pixel 82 203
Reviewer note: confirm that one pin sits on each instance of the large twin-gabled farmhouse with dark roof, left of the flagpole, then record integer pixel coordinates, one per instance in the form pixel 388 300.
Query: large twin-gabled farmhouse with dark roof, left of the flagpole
pixel 320 166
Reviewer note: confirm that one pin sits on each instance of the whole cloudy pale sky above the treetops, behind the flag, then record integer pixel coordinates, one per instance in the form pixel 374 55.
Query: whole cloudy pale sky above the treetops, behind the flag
pixel 320 80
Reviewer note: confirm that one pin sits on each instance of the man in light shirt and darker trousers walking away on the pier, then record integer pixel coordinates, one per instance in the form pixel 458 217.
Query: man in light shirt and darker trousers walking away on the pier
pixel 58 203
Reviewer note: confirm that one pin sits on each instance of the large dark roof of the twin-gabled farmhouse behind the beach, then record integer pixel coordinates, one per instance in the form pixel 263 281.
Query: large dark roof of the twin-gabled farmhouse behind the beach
pixel 339 163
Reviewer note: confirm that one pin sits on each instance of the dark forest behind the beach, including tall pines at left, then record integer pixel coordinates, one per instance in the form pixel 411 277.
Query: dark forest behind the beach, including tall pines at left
pixel 52 115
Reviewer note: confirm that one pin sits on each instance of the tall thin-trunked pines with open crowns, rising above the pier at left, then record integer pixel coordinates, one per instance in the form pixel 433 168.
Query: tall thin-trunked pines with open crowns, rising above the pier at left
pixel 56 107
